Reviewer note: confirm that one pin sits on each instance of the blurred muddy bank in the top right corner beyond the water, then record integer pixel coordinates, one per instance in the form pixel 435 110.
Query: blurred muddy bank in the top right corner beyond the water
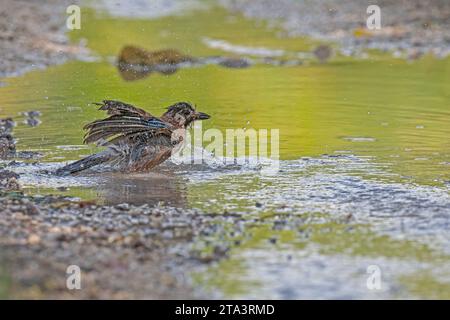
pixel 409 28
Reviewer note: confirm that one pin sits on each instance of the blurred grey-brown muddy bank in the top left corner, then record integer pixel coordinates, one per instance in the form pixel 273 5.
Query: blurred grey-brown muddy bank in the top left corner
pixel 33 35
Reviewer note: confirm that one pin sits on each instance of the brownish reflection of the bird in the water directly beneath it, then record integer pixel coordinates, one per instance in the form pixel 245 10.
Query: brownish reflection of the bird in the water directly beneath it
pixel 146 188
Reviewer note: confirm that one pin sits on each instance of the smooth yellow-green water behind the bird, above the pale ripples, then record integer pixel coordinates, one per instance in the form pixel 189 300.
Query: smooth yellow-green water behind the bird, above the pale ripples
pixel 403 107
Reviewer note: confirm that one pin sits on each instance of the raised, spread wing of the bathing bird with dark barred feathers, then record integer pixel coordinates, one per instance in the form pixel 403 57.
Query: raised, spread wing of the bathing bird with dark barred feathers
pixel 125 121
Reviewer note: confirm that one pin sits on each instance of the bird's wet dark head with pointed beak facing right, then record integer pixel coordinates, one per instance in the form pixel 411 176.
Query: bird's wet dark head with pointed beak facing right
pixel 182 114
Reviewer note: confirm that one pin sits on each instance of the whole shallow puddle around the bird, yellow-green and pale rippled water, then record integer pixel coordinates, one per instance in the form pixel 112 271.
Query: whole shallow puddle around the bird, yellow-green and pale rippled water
pixel 364 148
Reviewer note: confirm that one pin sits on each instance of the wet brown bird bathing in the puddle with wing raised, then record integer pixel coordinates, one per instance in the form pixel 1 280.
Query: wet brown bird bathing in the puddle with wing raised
pixel 136 141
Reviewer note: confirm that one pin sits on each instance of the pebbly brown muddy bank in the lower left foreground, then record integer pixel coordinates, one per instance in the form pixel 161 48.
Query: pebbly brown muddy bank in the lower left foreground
pixel 123 251
